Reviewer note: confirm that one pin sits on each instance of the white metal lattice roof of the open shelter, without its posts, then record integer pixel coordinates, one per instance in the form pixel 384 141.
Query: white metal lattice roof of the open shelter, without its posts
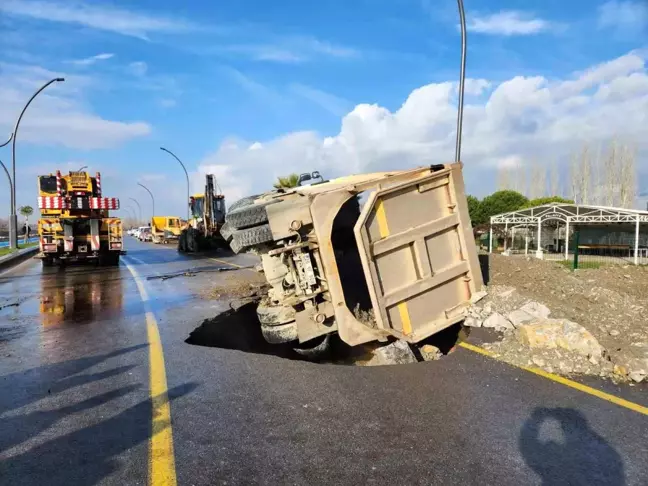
pixel 574 213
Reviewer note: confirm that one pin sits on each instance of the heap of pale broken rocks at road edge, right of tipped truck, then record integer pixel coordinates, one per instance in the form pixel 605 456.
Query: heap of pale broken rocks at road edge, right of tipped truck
pixel 532 338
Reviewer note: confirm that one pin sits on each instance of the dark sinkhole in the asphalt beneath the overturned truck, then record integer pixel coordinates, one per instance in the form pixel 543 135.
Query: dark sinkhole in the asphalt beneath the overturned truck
pixel 239 329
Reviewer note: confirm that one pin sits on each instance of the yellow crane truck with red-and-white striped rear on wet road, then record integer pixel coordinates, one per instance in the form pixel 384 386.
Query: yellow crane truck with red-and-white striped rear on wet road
pixel 75 223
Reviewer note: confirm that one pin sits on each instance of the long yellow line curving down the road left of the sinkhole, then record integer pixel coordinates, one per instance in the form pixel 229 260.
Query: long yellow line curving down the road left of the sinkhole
pixel 161 457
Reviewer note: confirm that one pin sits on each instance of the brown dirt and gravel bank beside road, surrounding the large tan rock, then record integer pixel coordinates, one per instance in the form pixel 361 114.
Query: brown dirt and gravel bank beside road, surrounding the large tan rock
pixel 610 303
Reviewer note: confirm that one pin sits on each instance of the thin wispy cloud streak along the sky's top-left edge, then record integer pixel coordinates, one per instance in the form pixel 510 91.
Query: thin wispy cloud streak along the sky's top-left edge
pixel 100 17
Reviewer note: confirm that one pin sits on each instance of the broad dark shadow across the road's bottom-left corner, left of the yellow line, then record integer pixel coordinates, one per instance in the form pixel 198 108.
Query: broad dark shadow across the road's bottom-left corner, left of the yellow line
pixel 87 456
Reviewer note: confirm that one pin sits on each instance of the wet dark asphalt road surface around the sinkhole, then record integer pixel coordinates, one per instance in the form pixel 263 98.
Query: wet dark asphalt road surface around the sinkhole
pixel 76 407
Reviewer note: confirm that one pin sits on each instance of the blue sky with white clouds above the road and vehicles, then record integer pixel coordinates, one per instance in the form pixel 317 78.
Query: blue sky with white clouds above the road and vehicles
pixel 251 90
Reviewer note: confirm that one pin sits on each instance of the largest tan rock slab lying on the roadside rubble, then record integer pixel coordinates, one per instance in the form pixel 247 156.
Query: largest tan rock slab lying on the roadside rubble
pixel 560 333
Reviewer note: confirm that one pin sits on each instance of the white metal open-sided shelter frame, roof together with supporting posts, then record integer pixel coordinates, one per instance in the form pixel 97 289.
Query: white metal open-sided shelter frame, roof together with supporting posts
pixel 569 214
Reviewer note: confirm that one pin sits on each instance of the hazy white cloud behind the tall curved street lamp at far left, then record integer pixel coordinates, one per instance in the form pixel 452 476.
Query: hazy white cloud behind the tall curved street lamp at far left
pixel 56 117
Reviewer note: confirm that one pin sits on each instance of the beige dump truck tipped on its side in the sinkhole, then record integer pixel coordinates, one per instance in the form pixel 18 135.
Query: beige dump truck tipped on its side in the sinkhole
pixel 368 256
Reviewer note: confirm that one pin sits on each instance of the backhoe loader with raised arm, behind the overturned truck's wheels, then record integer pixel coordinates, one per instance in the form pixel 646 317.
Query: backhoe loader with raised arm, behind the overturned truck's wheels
pixel 203 230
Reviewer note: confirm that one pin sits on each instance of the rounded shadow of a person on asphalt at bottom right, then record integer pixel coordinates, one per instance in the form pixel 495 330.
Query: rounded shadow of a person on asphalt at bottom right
pixel 562 449
